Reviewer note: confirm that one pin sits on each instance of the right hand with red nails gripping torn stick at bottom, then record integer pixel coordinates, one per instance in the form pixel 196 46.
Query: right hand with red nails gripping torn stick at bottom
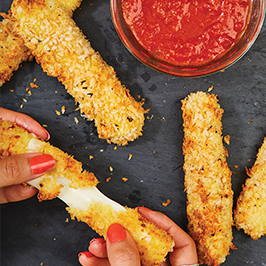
pixel 120 250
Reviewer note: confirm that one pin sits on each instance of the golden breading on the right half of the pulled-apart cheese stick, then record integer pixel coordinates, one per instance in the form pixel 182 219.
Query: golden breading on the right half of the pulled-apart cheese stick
pixel 153 243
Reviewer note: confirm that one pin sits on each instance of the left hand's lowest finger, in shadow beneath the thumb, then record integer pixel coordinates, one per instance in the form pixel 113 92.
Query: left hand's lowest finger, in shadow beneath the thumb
pixel 16 193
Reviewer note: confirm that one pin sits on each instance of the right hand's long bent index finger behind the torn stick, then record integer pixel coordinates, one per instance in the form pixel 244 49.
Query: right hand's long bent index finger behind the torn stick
pixel 184 249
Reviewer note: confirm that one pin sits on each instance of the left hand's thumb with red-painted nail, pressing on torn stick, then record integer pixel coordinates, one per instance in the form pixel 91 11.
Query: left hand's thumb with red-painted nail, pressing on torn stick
pixel 22 168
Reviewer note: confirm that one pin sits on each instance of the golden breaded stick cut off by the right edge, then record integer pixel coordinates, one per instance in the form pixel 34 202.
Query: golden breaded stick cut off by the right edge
pixel 250 212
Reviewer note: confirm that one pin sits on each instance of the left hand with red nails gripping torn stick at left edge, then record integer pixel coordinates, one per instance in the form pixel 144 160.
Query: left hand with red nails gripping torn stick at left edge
pixel 17 169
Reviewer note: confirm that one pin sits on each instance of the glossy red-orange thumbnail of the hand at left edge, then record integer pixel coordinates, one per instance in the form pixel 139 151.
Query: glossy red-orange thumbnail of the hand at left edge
pixel 41 163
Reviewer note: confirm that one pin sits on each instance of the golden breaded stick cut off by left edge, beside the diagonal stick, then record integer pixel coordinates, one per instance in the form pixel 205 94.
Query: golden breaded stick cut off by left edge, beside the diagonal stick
pixel 12 49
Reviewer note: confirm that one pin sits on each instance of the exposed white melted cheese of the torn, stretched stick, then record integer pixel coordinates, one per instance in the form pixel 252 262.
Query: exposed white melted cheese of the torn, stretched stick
pixel 75 198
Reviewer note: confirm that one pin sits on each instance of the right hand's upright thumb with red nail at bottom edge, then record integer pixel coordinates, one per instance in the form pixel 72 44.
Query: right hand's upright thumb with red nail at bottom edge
pixel 121 248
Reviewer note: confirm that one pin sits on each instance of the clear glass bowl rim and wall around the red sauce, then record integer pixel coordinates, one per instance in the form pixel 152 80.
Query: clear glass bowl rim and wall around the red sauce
pixel 232 56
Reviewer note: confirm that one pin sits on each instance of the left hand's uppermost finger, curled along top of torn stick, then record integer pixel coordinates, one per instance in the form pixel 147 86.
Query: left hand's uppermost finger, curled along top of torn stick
pixel 25 121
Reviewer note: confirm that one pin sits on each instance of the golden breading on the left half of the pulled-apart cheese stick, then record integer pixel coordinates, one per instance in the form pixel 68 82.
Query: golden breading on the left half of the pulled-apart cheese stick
pixel 16 140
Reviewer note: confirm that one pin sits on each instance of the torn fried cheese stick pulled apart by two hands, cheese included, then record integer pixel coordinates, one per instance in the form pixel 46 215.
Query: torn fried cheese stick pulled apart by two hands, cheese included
pixel 77 188
